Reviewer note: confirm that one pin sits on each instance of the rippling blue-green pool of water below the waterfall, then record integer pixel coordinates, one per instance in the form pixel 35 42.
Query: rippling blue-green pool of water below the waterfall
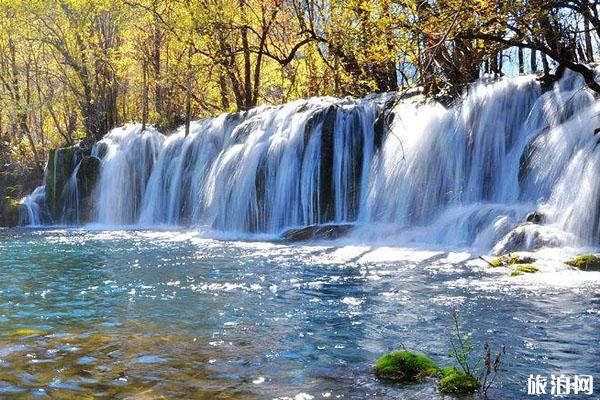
pixel 144 314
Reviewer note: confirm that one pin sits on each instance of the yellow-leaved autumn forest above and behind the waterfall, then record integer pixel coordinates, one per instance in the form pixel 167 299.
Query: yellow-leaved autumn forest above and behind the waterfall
pixel 70 70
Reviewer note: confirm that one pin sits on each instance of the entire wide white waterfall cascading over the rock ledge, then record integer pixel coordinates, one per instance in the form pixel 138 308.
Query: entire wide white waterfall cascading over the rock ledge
pixel 464 175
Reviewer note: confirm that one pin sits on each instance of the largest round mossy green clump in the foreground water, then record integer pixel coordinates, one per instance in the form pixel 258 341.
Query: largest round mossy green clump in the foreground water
pixel 405 367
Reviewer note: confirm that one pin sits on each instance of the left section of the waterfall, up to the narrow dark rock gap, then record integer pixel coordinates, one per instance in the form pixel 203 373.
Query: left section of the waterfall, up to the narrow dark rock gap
pixel 259 171
